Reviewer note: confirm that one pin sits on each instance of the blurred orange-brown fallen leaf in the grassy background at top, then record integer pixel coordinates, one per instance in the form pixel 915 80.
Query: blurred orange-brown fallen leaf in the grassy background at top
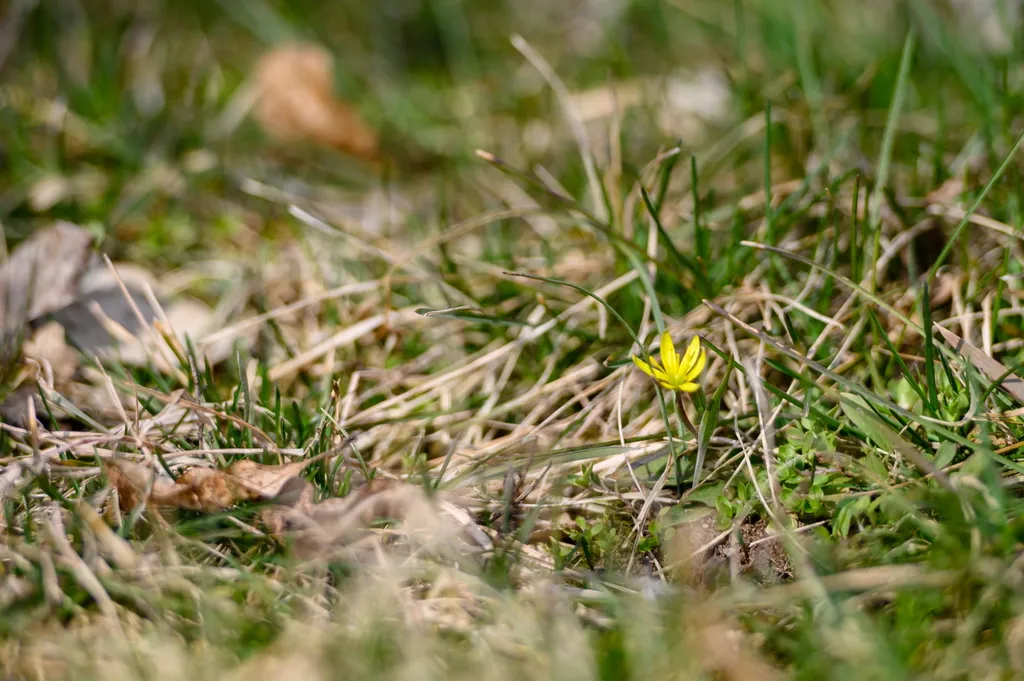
pixel 296 102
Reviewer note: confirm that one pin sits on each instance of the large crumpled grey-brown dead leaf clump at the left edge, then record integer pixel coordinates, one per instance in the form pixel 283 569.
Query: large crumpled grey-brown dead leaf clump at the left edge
pixel 59 297
